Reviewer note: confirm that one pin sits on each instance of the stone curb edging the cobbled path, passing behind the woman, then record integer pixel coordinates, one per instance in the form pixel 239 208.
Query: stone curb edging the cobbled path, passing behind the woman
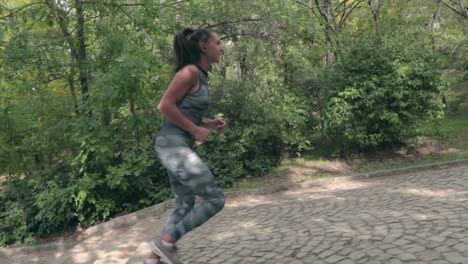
pixel 162 207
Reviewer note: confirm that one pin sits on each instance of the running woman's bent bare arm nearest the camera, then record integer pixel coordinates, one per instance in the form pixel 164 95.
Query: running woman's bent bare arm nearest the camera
pixel 181 84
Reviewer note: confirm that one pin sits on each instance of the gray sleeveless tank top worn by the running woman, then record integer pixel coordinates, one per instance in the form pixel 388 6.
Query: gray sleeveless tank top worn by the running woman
pixel 193 106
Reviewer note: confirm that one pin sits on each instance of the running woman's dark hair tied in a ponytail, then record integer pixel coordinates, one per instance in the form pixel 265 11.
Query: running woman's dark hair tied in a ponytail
pixel 187 46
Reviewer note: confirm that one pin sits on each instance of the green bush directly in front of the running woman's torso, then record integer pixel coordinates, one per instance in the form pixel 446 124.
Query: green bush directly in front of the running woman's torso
pixel 264 123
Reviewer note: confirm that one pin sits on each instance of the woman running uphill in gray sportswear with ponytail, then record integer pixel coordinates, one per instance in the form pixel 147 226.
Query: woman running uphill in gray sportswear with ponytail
pixel 183 105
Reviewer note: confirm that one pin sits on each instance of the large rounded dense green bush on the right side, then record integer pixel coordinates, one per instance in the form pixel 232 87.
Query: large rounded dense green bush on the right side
pixel 377 93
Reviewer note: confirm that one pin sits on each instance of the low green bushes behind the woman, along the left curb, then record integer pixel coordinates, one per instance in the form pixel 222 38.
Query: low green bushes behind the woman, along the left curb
pixel 109 173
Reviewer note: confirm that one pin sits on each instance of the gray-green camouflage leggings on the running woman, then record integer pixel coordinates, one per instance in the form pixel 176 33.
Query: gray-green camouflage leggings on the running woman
pixel 188 176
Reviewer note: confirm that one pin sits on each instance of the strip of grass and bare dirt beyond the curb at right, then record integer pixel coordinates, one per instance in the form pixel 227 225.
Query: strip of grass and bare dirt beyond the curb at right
pixel 439 141
